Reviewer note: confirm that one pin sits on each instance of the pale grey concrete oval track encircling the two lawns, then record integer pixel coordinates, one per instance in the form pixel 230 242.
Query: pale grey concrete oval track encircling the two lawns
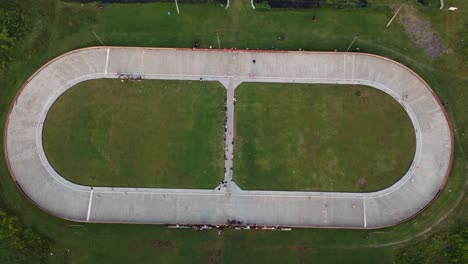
pixel 37 179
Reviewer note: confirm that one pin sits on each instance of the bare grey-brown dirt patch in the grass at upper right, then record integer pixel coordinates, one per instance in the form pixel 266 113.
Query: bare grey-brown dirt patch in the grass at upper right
pixel 421 33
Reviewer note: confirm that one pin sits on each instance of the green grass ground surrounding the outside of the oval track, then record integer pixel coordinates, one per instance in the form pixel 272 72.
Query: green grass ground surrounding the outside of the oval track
pixel 58 27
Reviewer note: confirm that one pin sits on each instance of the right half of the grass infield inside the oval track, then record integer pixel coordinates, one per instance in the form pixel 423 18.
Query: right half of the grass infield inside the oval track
pixel 320 137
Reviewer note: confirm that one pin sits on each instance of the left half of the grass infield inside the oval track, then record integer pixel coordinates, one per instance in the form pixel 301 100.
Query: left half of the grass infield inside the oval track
pixel 141 134
